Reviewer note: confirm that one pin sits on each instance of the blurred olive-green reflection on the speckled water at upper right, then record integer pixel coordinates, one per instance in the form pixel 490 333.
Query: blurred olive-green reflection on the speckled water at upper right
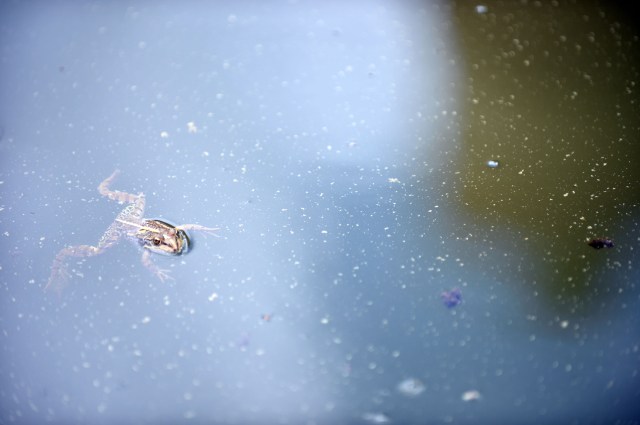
pixel 552 94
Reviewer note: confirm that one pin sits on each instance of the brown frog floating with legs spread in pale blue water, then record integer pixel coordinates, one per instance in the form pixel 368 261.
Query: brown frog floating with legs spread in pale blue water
pixel 154 236
